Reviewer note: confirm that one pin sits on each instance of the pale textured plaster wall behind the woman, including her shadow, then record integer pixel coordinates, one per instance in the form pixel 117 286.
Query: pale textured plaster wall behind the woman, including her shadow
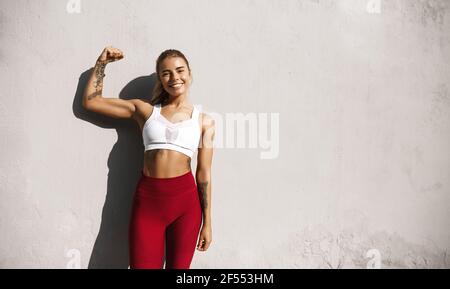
pixel 347 164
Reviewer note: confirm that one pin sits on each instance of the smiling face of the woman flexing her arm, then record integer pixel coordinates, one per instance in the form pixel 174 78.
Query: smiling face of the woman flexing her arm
pixel 175 76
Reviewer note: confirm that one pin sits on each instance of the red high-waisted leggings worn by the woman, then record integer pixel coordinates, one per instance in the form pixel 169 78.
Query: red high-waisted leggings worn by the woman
pixel 164 208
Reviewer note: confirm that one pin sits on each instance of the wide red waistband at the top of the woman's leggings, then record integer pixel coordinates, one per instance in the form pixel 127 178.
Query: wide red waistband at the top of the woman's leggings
pixel 172 186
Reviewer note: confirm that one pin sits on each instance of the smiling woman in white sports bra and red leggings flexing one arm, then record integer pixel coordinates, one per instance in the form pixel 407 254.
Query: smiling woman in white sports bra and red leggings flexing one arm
pixel 168 203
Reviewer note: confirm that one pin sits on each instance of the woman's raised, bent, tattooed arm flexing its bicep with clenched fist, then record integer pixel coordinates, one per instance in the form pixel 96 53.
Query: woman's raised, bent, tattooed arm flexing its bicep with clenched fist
pixel 92 96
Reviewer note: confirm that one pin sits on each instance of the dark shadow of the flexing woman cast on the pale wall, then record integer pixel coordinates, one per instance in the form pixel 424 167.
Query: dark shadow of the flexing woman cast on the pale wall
pixel 125 164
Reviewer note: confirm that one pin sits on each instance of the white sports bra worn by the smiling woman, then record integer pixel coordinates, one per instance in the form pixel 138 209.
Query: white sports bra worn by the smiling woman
pixel 160 133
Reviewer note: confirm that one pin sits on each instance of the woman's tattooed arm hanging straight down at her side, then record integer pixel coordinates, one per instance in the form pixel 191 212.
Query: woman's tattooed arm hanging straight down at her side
pixel 203 179
